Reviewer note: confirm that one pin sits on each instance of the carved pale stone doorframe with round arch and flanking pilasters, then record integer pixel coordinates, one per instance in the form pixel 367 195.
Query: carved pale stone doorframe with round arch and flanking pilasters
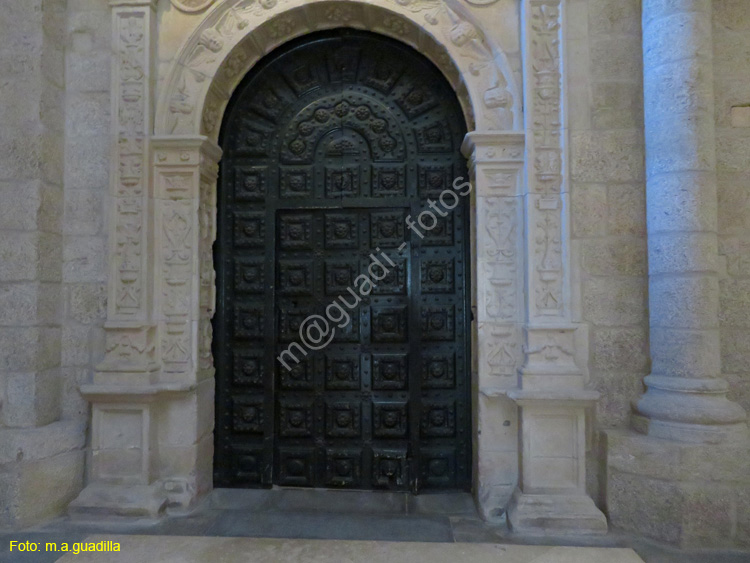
pixel 531 364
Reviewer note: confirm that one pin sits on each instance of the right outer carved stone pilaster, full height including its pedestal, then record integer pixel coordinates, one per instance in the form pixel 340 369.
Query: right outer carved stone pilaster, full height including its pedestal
pixel 551 495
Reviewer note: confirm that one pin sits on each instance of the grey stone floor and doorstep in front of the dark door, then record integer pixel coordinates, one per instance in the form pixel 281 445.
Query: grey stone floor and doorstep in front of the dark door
pixel 336 515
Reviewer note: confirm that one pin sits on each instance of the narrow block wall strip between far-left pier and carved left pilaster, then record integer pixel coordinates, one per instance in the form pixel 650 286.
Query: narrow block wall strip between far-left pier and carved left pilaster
pixel 87 145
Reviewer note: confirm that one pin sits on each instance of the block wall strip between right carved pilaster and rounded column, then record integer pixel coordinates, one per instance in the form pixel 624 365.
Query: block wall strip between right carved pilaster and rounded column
pixel 608 223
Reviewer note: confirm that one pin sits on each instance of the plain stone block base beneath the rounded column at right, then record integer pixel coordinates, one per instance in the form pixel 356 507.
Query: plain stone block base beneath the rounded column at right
pixel 690 495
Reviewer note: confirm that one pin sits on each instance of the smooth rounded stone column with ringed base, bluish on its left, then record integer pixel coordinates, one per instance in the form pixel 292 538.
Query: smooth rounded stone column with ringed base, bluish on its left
pixel 685 398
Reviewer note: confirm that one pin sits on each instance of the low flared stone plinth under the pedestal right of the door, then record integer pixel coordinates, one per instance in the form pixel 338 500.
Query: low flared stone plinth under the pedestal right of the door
pixel 555 515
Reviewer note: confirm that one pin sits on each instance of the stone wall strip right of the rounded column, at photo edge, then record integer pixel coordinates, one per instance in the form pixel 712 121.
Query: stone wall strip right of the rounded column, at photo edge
pixel 731 28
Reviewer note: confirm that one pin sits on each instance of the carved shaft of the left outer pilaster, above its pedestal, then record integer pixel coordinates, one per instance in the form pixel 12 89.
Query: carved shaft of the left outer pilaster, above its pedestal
pixel 130 334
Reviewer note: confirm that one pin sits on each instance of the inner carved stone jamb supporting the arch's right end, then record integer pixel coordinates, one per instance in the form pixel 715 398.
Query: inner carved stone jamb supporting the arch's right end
pixel 496 166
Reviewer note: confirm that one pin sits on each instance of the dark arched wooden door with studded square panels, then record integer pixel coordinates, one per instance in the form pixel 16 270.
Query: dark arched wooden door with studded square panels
pixel 329 146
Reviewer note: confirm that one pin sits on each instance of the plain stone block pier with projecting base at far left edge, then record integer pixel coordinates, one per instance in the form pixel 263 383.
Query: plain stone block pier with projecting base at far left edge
pixel 41 452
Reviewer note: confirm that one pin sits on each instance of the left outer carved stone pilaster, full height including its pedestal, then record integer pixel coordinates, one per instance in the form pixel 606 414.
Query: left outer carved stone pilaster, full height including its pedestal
pixel 122 459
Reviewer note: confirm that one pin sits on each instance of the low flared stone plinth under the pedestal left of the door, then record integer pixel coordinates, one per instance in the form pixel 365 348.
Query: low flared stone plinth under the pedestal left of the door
pixel 124 501
